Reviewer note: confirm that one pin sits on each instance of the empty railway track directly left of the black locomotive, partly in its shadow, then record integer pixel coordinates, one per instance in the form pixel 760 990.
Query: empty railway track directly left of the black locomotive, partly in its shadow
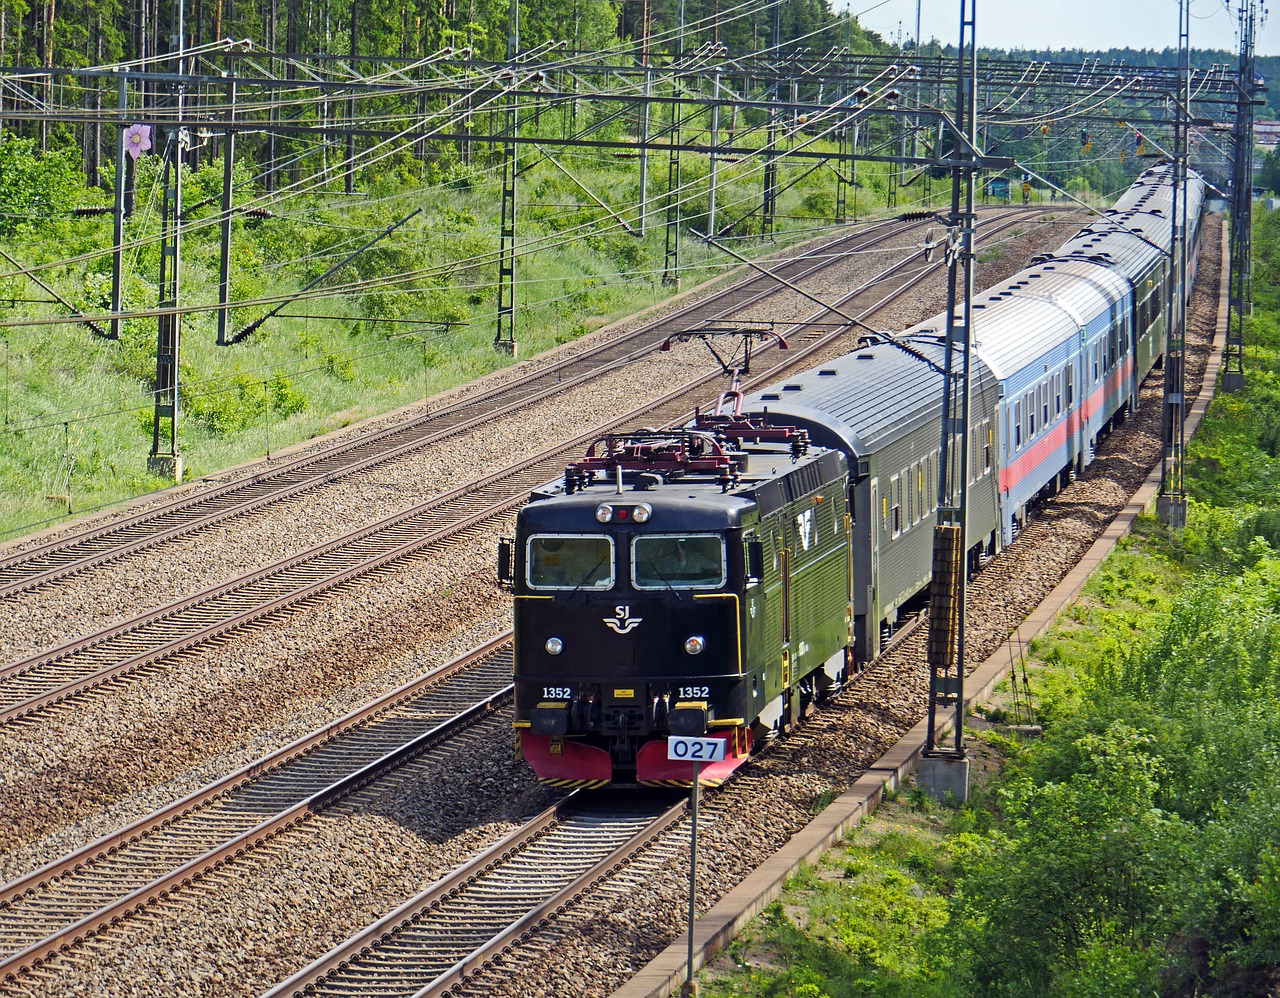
pixel 77 898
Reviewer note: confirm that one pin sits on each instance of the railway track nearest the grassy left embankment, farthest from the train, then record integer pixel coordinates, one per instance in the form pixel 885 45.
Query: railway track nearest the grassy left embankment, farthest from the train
pixel 126 537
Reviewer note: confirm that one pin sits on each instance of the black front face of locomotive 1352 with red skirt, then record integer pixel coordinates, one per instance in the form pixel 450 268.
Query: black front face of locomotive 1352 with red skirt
pixel 628 629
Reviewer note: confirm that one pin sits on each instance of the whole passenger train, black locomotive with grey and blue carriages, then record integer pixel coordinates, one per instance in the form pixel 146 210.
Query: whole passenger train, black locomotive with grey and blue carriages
pixel 715 579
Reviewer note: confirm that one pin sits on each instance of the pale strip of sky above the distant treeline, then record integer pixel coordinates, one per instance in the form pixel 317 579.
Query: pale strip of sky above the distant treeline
pixel 1067 24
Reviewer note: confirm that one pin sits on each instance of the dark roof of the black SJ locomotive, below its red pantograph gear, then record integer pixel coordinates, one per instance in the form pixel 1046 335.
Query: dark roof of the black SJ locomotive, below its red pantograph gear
pixel 770 479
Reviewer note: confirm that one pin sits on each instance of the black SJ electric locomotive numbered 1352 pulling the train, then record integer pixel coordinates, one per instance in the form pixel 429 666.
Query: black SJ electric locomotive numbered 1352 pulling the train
pixel 648 603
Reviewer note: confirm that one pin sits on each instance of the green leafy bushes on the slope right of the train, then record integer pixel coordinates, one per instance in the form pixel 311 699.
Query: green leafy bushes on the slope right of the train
pixel 1135 849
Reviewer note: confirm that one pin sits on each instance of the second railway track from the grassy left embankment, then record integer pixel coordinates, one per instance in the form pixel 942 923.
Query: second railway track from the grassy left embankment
pixel 156 640
